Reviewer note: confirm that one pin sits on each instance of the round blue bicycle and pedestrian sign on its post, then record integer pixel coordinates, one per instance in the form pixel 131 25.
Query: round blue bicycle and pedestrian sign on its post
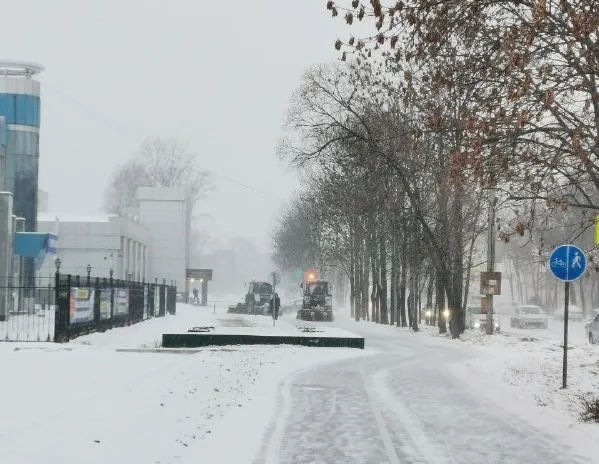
pixel 567 263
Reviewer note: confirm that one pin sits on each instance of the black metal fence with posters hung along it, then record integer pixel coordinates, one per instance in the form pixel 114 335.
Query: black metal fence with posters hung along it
pixel 64 307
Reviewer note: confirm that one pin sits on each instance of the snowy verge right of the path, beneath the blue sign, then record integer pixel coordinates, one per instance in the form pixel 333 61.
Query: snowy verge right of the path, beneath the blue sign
pixel 521 372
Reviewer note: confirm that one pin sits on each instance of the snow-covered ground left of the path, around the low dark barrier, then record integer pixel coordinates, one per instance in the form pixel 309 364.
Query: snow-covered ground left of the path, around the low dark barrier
pixel 87 402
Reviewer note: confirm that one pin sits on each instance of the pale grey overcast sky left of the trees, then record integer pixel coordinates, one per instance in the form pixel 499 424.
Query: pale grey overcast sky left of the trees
pixel 215 74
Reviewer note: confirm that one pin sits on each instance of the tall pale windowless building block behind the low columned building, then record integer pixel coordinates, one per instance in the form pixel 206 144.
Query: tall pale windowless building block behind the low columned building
pixel 163 211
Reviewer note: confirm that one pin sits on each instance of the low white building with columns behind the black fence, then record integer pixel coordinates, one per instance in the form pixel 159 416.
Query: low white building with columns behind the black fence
pixel 104 241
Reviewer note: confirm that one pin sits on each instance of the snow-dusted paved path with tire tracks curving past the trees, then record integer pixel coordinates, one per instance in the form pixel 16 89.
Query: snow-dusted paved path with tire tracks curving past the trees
pixel 404 405
